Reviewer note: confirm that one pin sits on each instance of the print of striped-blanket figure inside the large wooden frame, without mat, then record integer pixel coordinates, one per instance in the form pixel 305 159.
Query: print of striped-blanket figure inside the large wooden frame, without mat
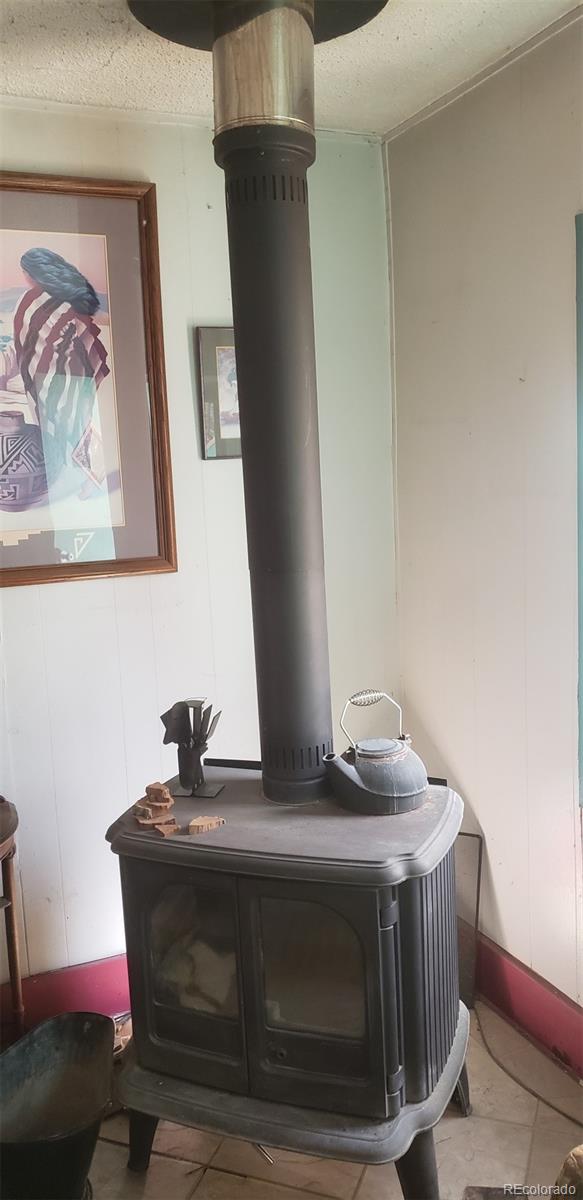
pixel 61 467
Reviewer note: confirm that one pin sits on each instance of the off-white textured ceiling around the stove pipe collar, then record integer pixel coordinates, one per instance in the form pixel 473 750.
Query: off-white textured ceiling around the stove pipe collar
pixel 93 52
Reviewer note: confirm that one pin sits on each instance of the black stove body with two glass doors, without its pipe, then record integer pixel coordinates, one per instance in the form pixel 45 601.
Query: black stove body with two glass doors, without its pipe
pixel 294 973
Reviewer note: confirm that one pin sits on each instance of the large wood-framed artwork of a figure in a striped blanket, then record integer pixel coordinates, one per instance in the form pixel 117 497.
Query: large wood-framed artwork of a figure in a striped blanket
pixel 86 479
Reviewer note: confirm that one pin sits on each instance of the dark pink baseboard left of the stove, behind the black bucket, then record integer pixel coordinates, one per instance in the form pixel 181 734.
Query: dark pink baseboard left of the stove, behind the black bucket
pixel 98 987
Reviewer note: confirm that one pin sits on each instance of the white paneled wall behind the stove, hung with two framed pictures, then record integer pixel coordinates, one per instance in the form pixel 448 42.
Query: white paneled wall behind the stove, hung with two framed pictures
pixel 89 667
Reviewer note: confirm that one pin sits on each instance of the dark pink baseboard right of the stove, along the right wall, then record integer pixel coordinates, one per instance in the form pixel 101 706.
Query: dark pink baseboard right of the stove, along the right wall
pixel 542 1011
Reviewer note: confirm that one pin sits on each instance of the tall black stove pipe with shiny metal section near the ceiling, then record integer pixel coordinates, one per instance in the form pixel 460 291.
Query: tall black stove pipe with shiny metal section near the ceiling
pixel 266 165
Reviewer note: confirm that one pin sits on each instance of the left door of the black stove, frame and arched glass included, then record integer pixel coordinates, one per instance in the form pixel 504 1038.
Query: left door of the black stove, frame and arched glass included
pixel 185 973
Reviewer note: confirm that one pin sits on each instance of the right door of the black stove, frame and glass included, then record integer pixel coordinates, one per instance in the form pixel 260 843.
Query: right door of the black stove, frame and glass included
pixel 314 995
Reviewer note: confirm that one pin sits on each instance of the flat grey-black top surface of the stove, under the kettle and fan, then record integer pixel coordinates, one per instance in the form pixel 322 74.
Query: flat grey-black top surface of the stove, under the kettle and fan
pixel 318 841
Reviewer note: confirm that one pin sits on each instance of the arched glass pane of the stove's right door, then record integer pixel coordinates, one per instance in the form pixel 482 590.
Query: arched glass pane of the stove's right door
pixel 314 969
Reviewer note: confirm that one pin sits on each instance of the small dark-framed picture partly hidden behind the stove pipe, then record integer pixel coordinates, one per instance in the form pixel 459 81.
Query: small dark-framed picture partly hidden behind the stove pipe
pixel 219 397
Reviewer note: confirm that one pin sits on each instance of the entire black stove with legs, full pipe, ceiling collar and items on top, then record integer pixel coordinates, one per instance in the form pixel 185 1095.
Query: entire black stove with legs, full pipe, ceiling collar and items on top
pixel 293 971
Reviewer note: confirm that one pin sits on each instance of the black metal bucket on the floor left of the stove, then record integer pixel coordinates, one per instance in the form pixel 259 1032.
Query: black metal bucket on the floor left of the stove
pixel 56 1085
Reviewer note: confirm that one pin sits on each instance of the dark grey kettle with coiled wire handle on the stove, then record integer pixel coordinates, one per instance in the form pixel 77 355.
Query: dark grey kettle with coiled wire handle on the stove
pixel 377 776
